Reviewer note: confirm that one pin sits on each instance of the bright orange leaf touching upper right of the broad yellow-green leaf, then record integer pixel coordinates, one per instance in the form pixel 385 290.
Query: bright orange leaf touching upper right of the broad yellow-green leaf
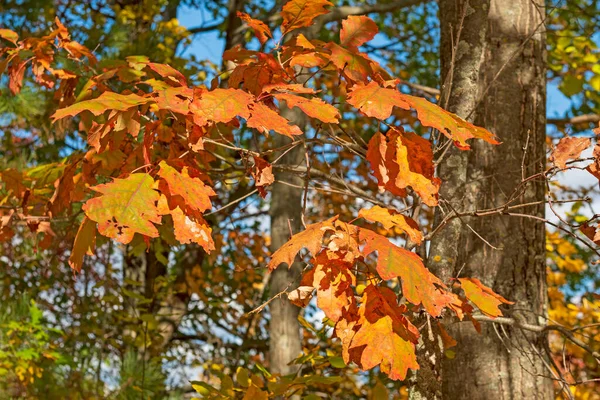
pixel 194 192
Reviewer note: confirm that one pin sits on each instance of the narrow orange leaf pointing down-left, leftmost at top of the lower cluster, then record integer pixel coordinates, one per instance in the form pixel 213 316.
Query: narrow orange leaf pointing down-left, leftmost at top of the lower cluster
pixel 310 238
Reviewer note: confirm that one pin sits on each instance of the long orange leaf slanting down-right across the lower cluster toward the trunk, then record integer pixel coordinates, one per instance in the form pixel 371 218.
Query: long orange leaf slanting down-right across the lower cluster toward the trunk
pixel 419 286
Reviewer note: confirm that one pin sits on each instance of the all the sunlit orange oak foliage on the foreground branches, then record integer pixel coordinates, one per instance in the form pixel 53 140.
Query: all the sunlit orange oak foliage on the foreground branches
pixel 151 138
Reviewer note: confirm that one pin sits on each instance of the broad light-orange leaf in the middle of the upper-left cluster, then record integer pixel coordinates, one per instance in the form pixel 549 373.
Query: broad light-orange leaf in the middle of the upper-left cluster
pixel 221 105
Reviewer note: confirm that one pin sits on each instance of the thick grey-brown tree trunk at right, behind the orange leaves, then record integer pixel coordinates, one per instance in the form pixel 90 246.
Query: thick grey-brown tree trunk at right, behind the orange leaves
pixel 496 77
